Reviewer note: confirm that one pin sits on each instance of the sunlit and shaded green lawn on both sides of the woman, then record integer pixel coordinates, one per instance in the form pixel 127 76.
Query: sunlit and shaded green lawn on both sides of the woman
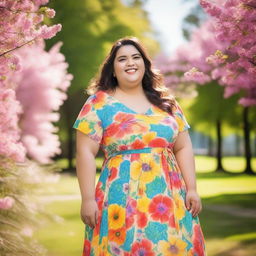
pixel 228 217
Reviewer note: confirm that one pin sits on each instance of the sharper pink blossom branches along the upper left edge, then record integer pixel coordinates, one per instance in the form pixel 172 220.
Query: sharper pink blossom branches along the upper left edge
pixel 20 23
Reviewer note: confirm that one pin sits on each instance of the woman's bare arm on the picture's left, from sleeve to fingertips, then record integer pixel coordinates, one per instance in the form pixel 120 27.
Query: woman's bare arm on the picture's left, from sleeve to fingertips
pixel 86 150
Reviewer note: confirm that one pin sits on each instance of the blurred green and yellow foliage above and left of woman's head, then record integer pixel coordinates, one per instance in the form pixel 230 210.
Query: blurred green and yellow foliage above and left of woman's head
pixel 90 27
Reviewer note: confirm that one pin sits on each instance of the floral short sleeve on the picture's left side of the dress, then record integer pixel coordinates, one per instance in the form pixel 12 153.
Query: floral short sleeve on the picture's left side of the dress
pixel 89 122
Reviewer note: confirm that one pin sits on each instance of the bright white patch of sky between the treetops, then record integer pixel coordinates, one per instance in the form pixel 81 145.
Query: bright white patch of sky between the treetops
pixel 166 18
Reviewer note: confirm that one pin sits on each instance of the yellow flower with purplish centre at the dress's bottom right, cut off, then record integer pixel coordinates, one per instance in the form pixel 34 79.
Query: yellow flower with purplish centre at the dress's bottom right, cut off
pixel 174 247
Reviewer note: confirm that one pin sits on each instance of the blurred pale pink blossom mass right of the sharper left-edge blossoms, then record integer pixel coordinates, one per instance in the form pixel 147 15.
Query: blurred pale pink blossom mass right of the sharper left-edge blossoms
pixel 41 90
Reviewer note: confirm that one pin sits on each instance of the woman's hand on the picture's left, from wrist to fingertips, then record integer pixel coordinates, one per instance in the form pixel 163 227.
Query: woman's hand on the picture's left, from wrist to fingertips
pixel 89 212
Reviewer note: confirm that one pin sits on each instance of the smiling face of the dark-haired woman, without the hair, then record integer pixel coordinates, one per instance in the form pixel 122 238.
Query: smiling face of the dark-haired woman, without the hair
pixel 129 67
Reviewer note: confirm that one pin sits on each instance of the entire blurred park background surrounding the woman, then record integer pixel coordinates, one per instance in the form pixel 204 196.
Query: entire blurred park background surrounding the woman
pixel 190 47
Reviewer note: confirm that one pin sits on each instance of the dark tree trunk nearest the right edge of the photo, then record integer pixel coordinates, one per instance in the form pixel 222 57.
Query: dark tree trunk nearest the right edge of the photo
pixel 247 148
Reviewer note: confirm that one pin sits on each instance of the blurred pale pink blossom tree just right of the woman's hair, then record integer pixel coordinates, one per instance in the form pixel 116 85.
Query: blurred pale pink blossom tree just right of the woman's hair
pixel 189 58
